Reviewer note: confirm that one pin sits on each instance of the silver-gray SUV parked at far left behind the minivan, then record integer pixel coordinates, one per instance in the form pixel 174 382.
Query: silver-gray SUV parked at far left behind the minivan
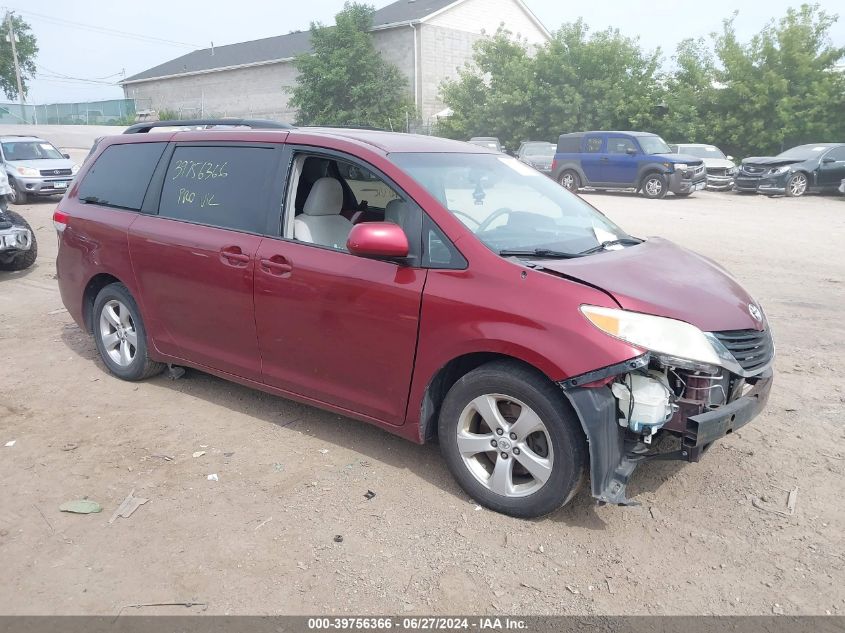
pixel 35 167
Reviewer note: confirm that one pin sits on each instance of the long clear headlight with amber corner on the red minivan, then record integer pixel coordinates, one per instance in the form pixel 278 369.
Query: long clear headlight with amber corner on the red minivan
pixel 668 337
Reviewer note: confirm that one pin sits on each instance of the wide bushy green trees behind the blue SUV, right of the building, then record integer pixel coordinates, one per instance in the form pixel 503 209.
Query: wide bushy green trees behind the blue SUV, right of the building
pixel 577 81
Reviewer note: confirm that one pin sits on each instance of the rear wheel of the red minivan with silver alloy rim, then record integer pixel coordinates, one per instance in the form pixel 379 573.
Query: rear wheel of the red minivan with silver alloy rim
pixel 120 335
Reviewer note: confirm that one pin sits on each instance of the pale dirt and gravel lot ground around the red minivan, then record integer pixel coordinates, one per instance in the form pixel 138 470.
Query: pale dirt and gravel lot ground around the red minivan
pixel 261 539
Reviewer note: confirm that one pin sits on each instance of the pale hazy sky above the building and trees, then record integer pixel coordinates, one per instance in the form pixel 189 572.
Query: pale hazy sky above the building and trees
pixel 83 45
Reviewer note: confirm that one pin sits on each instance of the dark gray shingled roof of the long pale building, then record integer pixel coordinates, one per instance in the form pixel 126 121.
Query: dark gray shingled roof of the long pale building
pixel 280 47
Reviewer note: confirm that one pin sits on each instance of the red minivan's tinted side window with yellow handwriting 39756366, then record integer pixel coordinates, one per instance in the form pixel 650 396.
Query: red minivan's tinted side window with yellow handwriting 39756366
pixel 226 187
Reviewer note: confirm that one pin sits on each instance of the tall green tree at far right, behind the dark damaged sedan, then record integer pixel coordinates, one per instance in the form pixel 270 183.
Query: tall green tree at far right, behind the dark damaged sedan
pixel 781 89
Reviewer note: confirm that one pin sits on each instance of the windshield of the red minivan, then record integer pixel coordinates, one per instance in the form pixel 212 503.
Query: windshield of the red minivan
pixel 509 205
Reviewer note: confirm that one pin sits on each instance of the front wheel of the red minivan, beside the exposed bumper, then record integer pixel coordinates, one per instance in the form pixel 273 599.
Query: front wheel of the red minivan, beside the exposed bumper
pixel 511 441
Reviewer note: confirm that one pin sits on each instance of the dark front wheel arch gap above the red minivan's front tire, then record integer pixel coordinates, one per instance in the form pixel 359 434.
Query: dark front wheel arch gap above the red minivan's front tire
pixel 445 377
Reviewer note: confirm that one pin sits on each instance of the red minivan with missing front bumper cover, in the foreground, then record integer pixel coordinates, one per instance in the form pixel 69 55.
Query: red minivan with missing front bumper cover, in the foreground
pixel 437 289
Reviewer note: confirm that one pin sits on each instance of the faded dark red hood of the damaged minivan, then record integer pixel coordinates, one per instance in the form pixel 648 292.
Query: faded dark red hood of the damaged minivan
pixel 661 278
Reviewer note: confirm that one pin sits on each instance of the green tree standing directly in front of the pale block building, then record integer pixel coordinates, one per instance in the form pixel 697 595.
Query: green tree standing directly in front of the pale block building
pixel 345 81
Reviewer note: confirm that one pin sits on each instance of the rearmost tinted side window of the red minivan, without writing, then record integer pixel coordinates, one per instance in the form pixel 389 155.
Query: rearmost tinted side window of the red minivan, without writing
pixel 121 175
